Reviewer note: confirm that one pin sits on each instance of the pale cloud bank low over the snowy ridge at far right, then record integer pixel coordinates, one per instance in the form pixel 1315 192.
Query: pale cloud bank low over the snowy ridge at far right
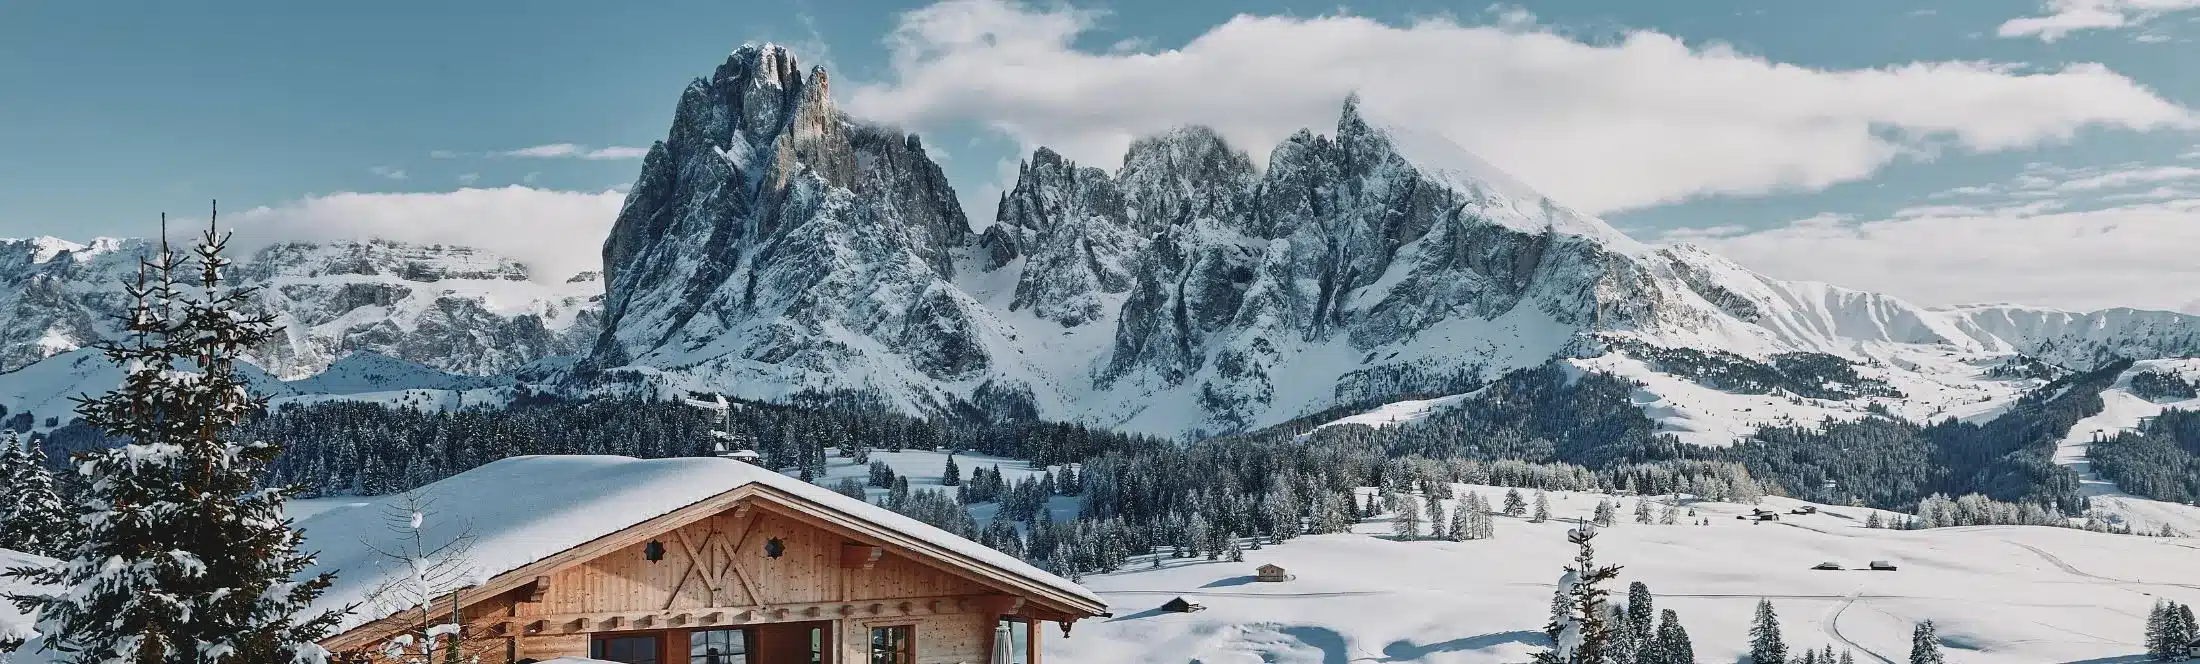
pixel 2084 261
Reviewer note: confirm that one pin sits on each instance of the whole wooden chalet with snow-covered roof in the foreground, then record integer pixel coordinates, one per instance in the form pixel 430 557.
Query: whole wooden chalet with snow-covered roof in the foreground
pixel 698 562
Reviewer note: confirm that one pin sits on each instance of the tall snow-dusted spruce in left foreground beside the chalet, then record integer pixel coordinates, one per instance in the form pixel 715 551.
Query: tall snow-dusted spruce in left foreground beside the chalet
pixel 181 557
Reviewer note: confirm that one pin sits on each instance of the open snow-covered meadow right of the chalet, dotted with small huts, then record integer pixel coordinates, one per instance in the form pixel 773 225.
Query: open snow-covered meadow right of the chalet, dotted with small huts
pixel 1999 595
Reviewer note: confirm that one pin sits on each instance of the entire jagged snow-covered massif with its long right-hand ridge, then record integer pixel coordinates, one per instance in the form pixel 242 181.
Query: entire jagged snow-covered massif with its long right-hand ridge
pixel 773 245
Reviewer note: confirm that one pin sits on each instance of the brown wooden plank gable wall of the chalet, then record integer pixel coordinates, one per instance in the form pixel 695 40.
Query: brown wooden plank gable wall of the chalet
pixel 716 573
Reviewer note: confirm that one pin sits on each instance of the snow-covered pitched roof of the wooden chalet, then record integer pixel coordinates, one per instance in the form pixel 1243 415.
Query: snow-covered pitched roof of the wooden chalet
pixel 529 509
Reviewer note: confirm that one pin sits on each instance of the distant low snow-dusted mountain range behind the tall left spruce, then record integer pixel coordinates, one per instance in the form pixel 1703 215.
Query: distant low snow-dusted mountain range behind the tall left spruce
pixel 439 307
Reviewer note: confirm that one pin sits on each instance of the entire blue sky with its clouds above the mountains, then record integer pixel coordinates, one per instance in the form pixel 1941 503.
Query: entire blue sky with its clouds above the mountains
pixel 1937 151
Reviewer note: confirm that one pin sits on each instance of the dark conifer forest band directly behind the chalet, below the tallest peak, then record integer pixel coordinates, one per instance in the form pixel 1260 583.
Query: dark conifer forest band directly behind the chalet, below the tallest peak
pixel 373 450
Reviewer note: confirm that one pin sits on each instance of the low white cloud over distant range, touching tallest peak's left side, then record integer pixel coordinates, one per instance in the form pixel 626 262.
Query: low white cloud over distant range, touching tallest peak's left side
pixel 553 232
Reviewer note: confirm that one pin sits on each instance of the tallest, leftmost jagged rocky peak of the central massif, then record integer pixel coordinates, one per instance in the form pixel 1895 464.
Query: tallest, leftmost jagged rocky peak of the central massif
pixel 769 225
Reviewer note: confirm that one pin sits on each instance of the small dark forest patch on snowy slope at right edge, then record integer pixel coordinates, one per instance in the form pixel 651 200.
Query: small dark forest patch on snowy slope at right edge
pixel 2161 461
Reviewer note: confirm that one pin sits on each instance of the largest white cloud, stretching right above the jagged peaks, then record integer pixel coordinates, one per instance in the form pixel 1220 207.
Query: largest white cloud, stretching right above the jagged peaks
pixel 1629 124
